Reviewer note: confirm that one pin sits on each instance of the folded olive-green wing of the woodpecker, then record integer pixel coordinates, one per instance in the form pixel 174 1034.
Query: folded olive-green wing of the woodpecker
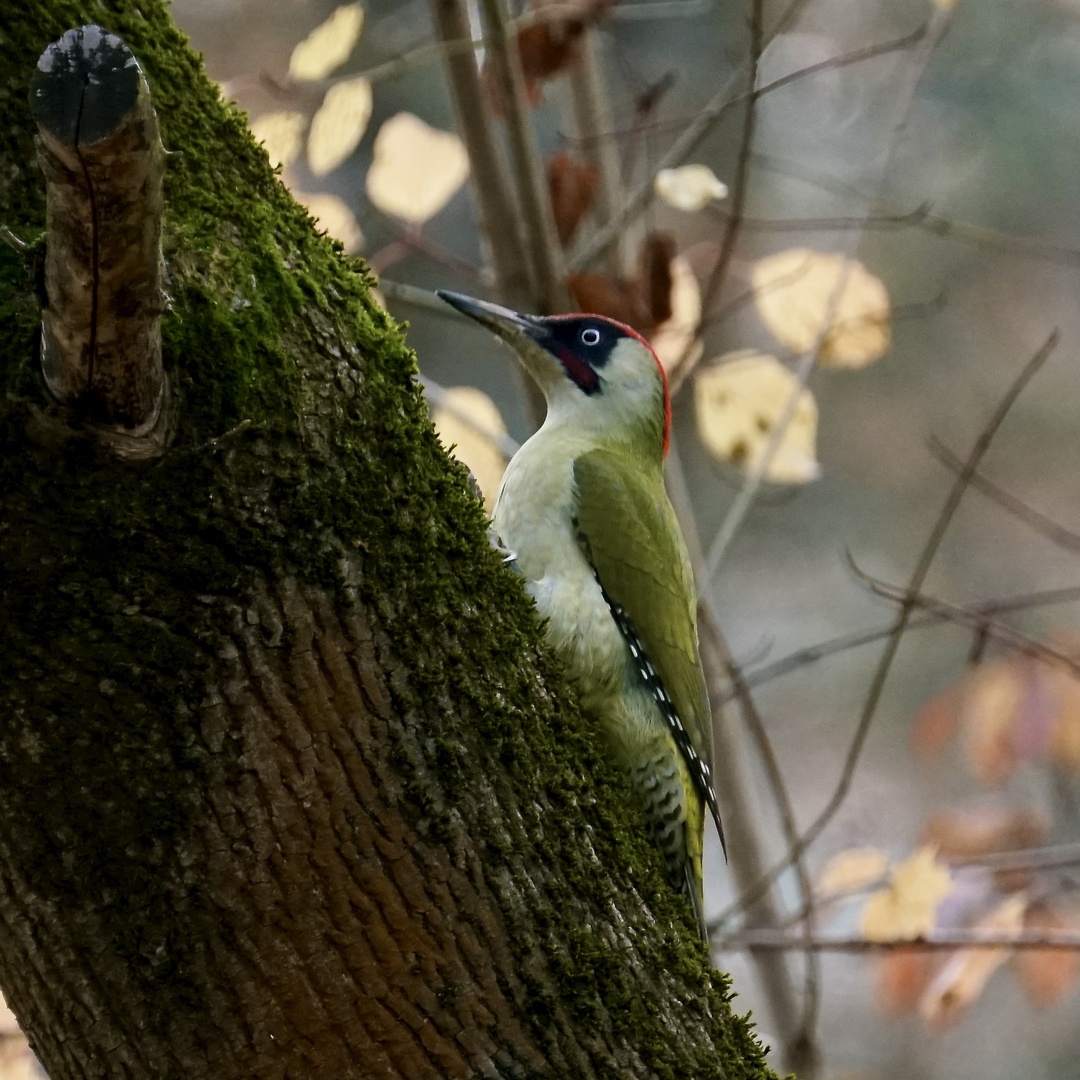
pixel 629 532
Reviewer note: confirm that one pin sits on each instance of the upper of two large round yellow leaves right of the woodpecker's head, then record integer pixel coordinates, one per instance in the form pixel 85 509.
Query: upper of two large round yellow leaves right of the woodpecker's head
pixel 796 291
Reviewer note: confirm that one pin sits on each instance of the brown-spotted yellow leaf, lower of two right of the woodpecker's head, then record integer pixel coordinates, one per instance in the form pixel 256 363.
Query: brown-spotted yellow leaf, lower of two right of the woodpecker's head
pixel 738 404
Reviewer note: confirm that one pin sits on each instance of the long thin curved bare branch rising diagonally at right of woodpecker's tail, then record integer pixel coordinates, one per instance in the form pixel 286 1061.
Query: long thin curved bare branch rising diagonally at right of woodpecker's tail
pixel 885 665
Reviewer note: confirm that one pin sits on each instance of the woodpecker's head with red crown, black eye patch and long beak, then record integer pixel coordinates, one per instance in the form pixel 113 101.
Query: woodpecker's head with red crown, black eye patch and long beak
pixel 598 375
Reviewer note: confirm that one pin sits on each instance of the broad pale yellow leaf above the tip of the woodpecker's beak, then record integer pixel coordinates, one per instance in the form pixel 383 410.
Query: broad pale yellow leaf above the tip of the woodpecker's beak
pixel 417 169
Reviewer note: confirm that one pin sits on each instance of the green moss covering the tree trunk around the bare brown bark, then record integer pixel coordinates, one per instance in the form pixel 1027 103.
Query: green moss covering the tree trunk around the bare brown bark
pixel 111 576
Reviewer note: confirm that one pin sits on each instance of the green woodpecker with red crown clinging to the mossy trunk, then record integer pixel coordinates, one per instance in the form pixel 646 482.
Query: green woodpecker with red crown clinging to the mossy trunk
pixel 583 508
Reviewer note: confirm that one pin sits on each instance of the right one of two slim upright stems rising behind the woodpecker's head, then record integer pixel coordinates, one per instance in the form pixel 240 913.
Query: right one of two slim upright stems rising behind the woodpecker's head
pixel 549 274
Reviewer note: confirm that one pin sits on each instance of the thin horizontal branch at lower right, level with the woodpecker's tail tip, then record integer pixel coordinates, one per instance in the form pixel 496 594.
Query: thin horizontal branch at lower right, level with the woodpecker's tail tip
pixel 942 941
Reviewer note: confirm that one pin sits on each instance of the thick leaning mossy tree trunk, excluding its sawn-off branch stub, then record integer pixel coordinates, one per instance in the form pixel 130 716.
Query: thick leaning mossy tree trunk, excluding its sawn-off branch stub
pixel 288 788
